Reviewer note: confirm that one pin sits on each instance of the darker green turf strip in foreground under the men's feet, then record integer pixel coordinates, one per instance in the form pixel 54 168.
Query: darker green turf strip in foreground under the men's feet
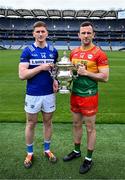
pixel 108 156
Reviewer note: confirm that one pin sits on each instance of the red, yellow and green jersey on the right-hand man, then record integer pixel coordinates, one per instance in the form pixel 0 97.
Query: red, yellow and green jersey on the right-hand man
pixel 94 59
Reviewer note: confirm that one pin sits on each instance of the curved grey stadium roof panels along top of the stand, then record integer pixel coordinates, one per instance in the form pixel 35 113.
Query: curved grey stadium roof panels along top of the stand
pixel 51 13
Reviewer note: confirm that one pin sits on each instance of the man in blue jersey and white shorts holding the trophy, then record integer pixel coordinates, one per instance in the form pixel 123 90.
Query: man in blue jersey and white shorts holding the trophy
pixel 36 62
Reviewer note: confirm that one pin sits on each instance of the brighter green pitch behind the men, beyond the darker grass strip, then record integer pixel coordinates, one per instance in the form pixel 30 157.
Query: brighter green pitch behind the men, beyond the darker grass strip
pixel 12 92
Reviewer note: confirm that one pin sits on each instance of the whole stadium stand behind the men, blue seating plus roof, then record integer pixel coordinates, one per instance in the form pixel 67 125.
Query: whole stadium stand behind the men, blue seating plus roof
pixel 63 25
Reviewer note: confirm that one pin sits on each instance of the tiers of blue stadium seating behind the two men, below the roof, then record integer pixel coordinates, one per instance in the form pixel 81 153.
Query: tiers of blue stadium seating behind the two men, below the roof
pixel 16 33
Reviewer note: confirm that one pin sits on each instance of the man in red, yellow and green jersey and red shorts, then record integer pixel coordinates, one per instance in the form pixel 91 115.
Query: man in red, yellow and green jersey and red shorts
pixel 92 67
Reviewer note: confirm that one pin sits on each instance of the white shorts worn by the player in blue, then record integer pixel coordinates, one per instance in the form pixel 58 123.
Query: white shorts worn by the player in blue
pixel 35 104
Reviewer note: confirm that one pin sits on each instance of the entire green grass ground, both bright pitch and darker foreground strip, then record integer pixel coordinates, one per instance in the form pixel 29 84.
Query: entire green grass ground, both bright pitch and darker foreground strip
pixel 108 156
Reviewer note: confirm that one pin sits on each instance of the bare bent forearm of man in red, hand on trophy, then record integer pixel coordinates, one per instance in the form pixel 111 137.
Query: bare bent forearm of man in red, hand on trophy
pixel 102 75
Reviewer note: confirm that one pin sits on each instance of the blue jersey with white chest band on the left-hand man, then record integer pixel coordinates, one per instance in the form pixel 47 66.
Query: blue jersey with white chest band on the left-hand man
pixel 42 83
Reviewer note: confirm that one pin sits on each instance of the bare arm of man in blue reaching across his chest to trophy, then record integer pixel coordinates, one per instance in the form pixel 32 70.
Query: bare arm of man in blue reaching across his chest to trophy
pixel 25 73
